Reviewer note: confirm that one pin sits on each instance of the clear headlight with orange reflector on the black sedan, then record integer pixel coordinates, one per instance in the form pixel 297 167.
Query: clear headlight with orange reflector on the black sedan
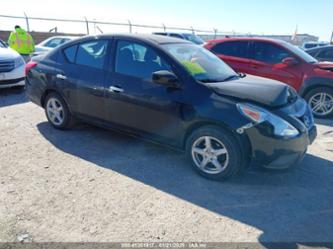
pixel 259 115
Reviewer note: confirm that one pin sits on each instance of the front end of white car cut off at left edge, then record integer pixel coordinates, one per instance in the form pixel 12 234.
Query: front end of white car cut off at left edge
pixel 12 67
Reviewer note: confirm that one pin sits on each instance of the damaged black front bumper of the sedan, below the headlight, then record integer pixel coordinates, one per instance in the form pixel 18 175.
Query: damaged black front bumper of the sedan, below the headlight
pixel 279 153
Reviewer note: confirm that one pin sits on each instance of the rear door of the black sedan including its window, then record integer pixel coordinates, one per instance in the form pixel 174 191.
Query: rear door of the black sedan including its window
pixel 82 77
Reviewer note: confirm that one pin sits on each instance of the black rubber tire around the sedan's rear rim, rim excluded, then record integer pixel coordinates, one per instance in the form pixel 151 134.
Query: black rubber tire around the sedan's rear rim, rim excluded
pixel 68 119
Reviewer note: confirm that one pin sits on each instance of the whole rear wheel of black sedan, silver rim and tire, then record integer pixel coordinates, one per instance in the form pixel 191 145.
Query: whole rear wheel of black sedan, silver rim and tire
pixel 57 112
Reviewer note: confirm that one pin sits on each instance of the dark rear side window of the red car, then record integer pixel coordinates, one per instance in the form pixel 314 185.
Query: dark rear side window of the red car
pixel 235 49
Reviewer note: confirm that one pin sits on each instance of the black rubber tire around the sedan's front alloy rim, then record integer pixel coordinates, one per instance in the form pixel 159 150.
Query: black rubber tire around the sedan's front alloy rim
pixel 235 155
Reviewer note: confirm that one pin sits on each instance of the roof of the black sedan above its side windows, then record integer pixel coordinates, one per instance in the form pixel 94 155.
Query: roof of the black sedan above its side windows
pixel 150 38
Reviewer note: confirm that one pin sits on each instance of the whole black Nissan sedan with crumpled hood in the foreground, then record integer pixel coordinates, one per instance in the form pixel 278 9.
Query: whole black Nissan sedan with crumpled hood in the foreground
pixel 176 93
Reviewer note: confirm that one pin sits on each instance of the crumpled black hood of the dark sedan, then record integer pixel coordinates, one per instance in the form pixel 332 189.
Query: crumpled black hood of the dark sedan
pixel 256 89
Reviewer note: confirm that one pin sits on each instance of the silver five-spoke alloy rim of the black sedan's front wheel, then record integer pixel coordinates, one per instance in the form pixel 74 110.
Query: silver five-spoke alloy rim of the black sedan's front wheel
pixel 210 155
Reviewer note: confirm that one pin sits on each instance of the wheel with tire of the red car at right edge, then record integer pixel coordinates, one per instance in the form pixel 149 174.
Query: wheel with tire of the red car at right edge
pixel 321 101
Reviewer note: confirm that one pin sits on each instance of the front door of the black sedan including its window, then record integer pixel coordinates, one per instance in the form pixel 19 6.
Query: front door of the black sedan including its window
pixel 134 101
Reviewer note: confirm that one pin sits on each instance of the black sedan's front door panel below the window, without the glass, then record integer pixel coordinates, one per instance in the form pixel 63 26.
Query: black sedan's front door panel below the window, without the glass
pixel 143 106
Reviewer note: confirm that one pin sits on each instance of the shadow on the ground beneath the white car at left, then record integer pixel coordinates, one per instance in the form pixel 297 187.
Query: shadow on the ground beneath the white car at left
pixel 12 96
